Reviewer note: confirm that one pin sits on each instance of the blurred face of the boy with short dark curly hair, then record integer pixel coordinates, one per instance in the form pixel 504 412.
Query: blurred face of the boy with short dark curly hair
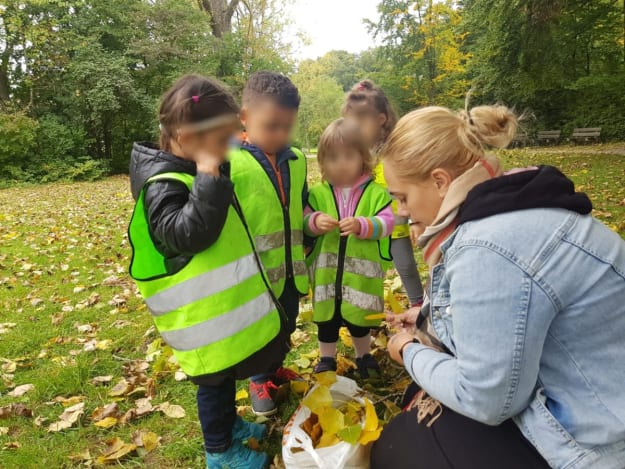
pixel 268 125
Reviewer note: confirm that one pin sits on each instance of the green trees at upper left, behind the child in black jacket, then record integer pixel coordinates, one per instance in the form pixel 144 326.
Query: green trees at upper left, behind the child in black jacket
pixel 88 74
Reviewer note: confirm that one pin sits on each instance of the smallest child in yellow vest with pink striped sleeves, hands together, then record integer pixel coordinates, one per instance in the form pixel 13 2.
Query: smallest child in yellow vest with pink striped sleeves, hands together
pixel 351 216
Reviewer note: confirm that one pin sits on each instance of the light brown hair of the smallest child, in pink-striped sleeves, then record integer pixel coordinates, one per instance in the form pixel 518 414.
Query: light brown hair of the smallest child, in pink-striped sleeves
pixel 343 133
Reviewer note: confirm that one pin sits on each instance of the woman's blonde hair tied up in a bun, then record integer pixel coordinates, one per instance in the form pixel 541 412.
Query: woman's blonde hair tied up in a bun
pixel 436 137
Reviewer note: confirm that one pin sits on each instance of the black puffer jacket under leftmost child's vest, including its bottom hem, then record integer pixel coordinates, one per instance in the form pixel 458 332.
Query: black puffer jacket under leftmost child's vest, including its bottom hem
pixel 184 223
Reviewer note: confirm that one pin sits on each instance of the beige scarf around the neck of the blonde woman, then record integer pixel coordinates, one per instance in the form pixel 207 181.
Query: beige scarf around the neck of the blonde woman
pixel 447 218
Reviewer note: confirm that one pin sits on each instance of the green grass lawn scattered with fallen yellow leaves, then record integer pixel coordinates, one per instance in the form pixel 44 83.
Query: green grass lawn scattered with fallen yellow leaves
pixel 69 315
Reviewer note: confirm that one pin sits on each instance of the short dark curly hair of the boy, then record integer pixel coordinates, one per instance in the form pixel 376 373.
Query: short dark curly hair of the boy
pixel 271 85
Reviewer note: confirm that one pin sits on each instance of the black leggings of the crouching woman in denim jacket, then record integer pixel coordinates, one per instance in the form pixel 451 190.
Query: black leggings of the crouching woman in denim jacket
pixel 453 441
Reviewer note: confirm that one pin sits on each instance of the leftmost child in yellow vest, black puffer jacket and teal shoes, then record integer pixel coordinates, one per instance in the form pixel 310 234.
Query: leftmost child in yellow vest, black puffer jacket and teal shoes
pixel 196 265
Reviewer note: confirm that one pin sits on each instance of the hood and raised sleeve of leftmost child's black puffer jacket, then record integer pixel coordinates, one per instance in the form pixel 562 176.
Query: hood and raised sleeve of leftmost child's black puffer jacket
pixel 181 223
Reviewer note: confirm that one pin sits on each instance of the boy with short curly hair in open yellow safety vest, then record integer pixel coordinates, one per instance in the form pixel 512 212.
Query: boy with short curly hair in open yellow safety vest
pixel 270 177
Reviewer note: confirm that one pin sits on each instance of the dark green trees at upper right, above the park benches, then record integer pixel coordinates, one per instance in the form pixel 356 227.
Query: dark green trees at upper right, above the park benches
pixel 562 60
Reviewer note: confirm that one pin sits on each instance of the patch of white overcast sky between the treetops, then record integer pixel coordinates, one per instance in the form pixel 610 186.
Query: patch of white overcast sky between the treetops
pixel 333 25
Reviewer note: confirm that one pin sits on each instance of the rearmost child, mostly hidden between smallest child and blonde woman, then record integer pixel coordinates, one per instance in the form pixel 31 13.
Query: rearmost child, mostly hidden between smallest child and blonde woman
pixel 370 108
